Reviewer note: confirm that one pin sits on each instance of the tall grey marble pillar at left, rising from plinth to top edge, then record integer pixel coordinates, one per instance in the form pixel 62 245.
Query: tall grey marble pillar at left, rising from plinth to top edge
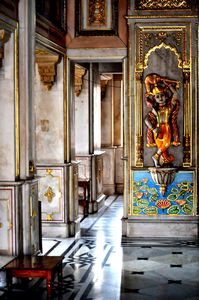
pixel 26 86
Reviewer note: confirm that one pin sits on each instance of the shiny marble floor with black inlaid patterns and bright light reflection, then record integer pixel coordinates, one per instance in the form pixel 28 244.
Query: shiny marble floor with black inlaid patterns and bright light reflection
pixel 102 265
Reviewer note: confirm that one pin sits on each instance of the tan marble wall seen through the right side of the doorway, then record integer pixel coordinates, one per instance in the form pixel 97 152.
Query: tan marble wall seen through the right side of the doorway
pixel 111 137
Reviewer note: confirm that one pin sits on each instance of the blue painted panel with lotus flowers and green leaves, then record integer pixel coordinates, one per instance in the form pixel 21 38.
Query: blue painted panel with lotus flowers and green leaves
pixel 148 200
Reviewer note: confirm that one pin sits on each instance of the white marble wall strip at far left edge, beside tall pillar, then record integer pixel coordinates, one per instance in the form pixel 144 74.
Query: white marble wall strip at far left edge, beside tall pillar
pixel 7 113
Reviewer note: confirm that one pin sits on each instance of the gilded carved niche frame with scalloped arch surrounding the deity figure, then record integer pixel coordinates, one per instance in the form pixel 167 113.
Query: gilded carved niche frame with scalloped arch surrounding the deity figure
pixel 165 52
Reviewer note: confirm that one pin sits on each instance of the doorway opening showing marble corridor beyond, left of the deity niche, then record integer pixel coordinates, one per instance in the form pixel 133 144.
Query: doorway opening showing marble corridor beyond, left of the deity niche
pixel 97 102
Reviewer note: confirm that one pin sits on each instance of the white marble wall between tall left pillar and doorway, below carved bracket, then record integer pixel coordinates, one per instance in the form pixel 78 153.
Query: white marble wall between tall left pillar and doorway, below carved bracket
pixel 49 119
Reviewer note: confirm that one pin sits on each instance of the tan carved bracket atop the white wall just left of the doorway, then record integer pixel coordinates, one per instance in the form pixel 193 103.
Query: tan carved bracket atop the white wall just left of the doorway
pixel 47 63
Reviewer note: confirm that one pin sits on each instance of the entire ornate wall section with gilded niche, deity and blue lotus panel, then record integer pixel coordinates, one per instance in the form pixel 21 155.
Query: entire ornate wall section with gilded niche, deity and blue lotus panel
pixel 163 143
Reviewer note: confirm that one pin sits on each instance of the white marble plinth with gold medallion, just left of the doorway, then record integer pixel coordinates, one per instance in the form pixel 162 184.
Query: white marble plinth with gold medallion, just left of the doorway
pixel 59 201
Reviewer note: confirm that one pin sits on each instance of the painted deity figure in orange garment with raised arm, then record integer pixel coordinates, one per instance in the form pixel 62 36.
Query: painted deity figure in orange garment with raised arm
pixel 162 129
